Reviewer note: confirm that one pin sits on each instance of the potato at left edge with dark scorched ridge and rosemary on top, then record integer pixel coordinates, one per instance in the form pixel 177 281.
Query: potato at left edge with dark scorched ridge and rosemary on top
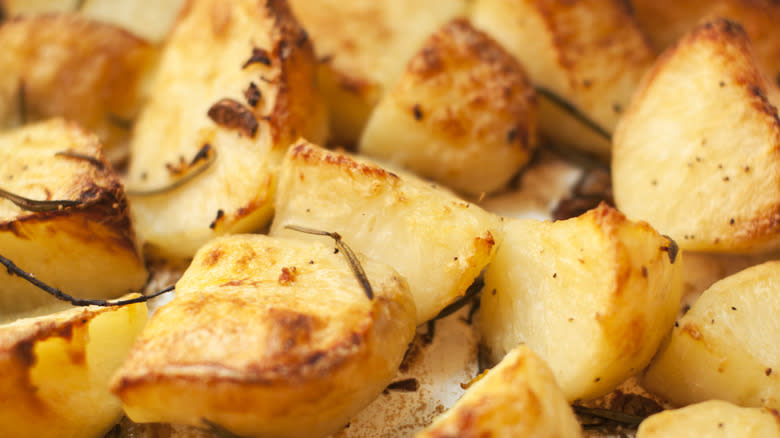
pixel 87 249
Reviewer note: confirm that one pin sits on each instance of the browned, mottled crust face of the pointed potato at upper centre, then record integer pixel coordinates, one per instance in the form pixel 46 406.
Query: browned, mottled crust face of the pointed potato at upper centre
pixel 504 90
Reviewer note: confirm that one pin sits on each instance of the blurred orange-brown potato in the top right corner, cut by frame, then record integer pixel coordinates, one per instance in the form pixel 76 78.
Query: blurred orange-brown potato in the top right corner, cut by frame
pixel 665 22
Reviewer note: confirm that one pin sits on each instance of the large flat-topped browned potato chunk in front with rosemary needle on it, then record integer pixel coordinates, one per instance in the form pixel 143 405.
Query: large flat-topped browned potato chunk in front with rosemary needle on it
pixel 269 337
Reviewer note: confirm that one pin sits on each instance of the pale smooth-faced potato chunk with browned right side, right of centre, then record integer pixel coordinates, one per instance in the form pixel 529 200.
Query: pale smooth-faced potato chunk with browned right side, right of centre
pixel 593 296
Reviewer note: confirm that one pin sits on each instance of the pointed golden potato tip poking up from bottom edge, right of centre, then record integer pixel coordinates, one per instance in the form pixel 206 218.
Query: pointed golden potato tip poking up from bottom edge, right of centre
pixel 518 397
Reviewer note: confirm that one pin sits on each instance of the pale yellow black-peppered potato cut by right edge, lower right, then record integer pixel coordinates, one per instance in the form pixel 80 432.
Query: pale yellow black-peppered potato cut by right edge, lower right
pixel 726 345
